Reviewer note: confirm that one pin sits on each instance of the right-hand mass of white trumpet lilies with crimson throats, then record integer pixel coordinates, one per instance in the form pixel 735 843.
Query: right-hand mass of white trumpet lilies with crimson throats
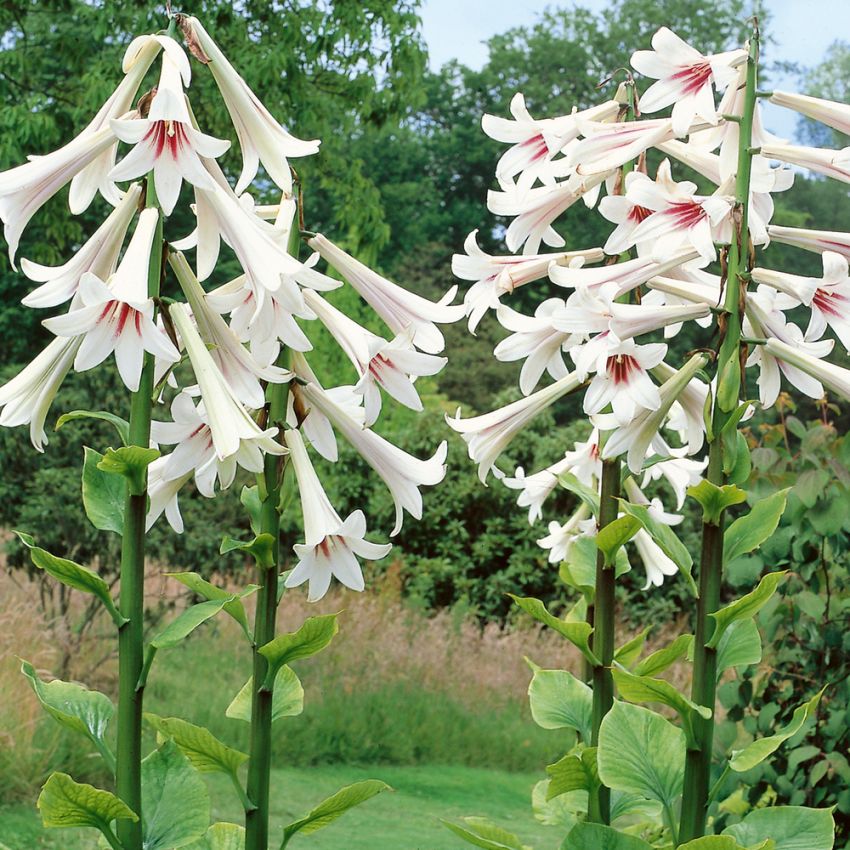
pixel 636 401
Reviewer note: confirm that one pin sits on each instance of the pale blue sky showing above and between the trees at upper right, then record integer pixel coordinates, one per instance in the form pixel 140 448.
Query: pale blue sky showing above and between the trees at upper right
pixel 803 30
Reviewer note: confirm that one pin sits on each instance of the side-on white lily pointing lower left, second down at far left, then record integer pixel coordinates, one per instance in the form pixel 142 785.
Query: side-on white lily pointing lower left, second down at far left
pixel 97 256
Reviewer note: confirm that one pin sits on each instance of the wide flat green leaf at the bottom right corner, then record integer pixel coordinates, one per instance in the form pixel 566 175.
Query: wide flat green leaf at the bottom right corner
pixel 790 828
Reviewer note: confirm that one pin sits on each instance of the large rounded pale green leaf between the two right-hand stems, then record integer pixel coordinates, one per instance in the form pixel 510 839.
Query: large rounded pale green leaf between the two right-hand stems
pixel 642 753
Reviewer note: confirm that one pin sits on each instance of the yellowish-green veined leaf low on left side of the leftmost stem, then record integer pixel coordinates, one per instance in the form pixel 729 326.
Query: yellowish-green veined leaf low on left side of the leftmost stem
pixel 65 803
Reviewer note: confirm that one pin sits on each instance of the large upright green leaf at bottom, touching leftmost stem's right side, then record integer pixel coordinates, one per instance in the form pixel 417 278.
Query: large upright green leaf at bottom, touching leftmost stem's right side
pixel 175 800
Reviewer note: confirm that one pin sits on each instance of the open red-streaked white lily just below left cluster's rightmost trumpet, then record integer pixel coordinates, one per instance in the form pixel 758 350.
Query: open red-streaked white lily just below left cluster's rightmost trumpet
pixel 392 366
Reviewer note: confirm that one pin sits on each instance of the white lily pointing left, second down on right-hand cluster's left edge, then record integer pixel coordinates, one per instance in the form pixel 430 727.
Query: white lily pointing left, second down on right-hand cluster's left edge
pixel 535 210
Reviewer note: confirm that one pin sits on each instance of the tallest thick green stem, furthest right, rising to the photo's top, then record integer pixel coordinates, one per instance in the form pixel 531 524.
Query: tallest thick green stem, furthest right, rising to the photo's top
pixel 696 794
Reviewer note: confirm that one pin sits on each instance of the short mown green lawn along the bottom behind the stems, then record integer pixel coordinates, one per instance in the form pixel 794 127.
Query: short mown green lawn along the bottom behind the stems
pixel 407 819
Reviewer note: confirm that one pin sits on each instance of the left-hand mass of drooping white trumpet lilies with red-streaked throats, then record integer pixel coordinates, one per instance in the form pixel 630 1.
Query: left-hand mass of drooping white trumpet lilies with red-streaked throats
pixel 217 423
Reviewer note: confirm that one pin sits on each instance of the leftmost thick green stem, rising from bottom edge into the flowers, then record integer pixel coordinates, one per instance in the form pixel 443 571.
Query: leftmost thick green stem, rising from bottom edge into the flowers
pixel 128 772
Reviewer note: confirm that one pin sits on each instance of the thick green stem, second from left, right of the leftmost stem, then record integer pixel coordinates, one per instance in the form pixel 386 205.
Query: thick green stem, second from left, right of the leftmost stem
pixel 259 764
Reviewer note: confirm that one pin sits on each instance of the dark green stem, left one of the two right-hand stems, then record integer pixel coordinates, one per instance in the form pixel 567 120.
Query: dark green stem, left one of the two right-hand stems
pixel 603 634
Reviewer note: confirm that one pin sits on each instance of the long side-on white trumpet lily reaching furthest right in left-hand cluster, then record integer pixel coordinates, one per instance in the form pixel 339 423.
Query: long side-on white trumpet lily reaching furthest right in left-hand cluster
pixel 398 308
